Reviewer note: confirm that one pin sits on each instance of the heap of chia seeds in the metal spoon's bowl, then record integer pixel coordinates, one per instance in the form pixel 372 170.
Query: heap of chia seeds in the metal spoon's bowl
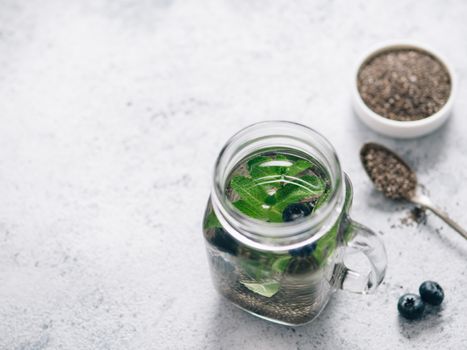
pixel 388 172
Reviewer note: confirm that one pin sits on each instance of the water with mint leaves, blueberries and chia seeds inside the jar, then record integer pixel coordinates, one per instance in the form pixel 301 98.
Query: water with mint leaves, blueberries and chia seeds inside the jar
pixel 274 186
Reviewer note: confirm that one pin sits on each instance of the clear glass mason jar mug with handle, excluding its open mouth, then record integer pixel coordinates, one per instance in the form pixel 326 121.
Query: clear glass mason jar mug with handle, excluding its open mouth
pixel 254 263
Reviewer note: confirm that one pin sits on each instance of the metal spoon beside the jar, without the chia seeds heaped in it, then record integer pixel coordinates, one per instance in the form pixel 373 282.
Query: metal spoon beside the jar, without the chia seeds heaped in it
pixel 414 196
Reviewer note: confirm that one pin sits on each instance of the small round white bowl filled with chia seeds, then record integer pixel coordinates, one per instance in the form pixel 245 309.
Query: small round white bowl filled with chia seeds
pixel 403 90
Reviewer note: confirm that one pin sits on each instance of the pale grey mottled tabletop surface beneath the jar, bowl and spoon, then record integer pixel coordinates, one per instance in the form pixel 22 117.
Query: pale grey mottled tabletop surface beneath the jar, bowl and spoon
pixel 112 114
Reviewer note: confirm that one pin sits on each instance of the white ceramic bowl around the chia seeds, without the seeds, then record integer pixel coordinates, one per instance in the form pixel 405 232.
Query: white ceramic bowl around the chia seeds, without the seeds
pixel 395 128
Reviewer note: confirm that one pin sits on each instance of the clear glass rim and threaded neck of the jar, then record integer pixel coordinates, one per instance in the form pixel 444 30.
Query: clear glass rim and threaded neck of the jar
pixel 275 134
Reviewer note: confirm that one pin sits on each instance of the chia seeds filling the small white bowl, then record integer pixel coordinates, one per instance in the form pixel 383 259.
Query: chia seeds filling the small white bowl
pixel 404 84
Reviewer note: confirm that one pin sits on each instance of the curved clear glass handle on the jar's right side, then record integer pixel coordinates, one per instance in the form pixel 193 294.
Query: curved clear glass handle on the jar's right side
pixel 367 242
